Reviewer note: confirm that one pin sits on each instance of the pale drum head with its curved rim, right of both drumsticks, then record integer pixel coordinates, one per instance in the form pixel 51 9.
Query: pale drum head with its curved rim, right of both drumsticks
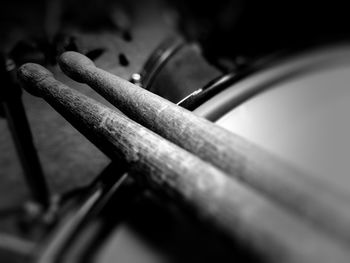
pixel 297 110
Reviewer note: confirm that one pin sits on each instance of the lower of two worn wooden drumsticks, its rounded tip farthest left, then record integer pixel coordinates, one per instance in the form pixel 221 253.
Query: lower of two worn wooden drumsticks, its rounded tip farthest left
pixel 237 211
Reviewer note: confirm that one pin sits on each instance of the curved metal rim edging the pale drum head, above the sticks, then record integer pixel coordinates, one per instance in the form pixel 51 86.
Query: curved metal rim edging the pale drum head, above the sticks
pixel 263 79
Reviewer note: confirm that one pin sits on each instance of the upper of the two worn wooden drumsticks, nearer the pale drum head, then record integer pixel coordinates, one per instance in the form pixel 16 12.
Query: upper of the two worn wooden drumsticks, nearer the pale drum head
pixel 304 194
